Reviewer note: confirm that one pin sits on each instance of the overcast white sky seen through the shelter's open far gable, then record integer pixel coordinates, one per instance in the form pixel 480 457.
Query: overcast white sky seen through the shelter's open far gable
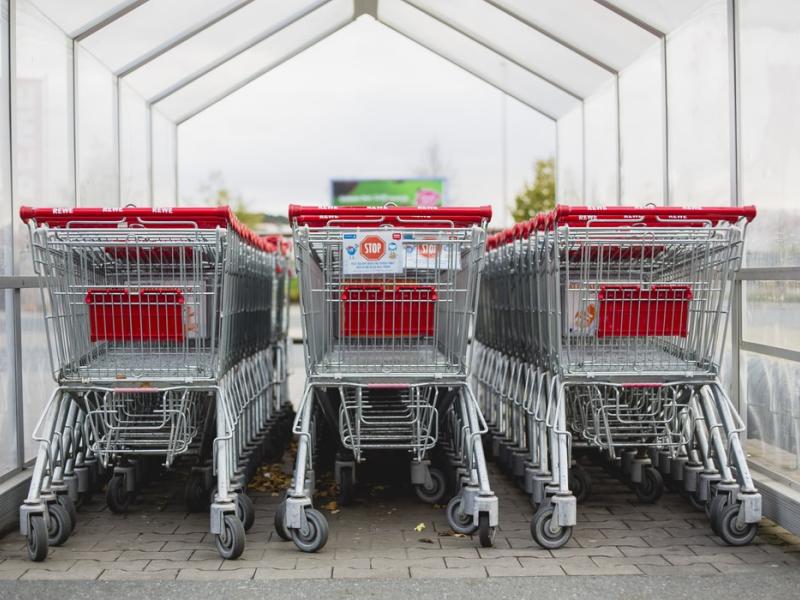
pixel 364 103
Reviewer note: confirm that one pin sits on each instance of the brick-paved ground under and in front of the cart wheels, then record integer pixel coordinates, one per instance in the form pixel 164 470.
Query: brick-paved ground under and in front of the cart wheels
pixel 377 539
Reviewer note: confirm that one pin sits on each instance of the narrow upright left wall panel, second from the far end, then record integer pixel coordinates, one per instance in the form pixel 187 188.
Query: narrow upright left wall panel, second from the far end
pixel 134 123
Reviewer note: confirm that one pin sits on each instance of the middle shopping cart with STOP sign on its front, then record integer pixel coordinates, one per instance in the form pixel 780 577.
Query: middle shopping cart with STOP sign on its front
pixel 388 297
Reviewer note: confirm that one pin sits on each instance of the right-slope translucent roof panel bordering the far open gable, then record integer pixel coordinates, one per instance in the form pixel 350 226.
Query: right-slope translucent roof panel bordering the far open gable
pixel 476 58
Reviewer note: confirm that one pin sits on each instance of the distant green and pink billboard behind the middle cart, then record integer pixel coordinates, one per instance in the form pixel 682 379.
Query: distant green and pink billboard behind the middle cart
pixel 378 192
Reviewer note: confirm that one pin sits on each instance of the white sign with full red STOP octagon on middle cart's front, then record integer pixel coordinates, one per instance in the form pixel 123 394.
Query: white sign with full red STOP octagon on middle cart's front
pixel 372 253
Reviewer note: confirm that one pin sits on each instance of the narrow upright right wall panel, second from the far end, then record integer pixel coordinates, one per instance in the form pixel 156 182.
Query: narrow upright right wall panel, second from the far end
pixel 600 112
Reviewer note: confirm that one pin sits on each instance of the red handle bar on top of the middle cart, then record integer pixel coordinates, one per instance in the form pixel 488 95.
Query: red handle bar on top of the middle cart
pixel 398 216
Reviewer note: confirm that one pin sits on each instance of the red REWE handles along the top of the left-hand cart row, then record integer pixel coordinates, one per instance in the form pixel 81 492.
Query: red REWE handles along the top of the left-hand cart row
pixel 182 217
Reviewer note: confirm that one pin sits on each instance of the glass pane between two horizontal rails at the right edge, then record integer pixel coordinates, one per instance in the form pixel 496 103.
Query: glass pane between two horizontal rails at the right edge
pixel 772 313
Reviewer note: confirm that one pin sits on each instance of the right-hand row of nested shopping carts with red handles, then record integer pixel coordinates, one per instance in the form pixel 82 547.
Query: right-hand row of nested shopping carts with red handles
pixel 604 328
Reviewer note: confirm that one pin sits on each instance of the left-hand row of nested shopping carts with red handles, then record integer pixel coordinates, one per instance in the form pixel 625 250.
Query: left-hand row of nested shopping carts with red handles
pixel 160 324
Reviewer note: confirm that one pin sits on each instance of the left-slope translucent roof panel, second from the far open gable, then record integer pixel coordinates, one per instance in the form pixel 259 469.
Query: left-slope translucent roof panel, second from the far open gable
pixel 241 29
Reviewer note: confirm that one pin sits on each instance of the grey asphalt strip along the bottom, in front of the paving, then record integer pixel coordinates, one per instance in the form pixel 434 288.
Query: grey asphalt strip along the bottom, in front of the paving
pixel 783 583
